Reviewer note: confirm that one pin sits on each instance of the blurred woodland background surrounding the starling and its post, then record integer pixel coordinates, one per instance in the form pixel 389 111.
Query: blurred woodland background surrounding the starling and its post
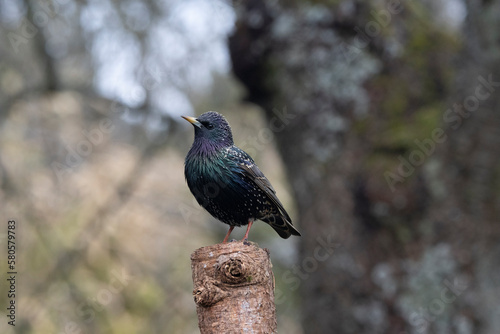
pixel 376 121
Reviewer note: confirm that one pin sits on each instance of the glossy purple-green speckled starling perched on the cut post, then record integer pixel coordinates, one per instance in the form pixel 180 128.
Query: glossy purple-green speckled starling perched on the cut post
pixel 226 182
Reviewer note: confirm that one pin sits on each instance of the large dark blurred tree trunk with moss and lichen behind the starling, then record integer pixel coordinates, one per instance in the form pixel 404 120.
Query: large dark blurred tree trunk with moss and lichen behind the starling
pixel 358 98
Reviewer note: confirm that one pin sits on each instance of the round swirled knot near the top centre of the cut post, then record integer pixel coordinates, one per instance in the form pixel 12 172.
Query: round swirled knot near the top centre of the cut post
pixel 235 268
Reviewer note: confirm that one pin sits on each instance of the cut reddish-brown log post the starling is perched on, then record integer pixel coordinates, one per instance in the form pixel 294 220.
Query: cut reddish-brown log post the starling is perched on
pixel 234 289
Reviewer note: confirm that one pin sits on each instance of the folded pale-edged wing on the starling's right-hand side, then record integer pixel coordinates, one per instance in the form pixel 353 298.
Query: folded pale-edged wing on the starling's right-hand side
pixel 252 172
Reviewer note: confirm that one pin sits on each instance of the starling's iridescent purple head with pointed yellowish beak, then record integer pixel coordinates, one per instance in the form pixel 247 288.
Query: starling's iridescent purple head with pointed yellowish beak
pixel 211 128
